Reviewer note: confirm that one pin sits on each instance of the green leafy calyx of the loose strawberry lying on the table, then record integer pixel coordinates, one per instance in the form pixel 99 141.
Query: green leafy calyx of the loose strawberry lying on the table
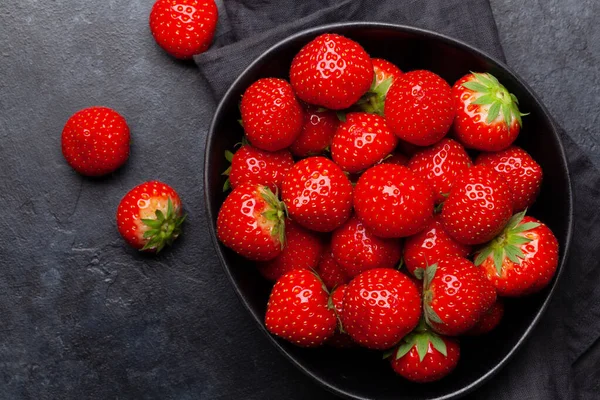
pixel 164 229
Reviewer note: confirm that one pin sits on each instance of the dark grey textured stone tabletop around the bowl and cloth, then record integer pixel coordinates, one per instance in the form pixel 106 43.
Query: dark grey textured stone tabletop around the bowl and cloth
pixel 75 323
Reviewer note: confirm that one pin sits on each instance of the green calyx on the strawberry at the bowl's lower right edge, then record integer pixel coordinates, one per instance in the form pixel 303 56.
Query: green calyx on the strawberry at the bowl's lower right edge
pixel 508 243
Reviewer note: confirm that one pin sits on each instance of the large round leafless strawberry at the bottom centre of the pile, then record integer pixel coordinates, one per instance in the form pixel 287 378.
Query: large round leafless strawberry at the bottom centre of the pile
pixel 380 306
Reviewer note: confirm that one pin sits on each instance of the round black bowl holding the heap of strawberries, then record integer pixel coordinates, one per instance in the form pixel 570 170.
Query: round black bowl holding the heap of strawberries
pixel 362 374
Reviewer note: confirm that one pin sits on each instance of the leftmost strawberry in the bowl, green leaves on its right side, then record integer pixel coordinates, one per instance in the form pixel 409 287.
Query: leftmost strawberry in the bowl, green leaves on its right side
pixel 251 222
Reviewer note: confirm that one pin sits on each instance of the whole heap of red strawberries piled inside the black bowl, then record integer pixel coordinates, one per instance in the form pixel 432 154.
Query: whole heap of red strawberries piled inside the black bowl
pixel 353 192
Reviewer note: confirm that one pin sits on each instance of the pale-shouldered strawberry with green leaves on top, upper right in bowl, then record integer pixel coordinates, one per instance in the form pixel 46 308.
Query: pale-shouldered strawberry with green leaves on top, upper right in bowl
pixel 484 112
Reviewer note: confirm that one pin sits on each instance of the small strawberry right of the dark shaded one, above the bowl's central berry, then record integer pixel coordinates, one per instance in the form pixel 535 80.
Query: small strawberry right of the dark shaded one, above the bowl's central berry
pixel 361 141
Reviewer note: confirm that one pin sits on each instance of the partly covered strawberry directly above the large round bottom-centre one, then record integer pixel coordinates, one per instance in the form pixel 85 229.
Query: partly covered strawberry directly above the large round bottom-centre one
pixel 356 249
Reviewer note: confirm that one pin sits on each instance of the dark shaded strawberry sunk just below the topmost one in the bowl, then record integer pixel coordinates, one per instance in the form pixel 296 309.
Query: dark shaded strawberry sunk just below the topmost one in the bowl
pixel 317 132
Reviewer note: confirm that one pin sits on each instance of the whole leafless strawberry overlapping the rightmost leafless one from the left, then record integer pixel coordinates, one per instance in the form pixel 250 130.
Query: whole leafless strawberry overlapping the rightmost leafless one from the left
pixel 478 207
